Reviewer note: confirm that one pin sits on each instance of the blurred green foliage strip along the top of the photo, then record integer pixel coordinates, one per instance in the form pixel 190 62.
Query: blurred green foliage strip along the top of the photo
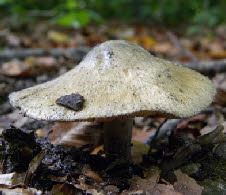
pixel 79 13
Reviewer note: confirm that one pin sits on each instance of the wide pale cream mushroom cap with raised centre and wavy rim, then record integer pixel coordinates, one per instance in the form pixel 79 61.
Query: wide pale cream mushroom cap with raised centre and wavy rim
pixel 119 79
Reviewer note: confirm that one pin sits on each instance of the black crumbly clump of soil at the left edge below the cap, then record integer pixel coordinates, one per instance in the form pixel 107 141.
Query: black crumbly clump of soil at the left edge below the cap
pixel 17 149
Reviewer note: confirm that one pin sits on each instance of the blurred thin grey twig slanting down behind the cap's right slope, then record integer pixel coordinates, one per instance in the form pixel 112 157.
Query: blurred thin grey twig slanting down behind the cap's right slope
pixel 178 45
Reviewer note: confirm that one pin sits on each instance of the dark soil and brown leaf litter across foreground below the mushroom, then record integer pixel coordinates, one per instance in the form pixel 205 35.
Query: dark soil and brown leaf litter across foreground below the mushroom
pixel 50 167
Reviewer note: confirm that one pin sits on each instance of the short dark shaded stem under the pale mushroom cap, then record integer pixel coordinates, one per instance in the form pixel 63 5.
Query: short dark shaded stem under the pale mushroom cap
pixel 117 139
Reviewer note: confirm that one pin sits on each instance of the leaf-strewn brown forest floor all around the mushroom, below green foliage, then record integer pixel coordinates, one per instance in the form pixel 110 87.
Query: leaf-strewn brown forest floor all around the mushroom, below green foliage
pixel 67 157
